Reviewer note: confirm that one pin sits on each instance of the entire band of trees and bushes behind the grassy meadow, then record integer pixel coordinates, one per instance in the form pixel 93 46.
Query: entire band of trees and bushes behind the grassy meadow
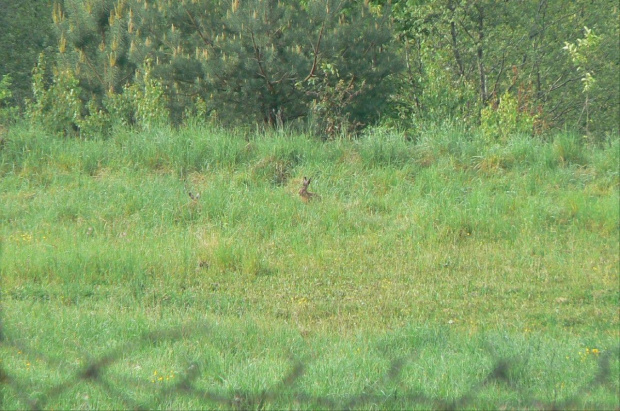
pixel 523 66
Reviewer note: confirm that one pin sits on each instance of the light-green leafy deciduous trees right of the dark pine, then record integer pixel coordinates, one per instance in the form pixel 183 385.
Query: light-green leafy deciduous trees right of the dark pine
pixel 463 56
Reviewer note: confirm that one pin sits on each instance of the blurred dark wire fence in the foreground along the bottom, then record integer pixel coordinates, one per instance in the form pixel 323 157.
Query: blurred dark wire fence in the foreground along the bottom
pixel 378 394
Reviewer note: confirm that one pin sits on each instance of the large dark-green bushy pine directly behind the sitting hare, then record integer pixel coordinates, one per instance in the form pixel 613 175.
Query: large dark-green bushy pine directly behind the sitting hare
pixel 268 61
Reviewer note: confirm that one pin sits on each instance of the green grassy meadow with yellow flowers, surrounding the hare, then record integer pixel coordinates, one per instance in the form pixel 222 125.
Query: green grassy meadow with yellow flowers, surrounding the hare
pixel 438 271
